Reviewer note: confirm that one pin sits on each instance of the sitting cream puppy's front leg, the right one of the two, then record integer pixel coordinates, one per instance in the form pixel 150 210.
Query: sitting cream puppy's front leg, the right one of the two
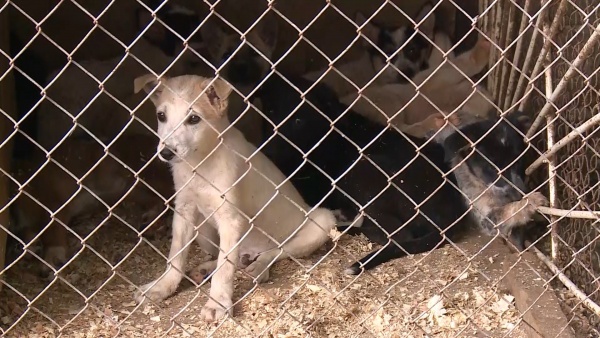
pixel 231 228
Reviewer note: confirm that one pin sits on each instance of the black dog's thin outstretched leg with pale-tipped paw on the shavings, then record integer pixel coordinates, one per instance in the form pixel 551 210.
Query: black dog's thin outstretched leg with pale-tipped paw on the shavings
pixel 392 251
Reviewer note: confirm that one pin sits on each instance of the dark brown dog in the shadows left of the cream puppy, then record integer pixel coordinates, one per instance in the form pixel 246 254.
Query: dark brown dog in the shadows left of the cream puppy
pixel 103 186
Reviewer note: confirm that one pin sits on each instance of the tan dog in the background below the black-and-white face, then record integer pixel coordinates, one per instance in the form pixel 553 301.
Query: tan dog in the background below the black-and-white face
pixel 447 89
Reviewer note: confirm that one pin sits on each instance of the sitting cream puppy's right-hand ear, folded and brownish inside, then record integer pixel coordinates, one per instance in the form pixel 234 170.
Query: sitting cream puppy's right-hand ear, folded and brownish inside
pixel 216 98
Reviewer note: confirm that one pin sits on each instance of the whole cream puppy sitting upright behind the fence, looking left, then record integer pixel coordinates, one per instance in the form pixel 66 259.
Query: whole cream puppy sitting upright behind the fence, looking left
pixel 216 173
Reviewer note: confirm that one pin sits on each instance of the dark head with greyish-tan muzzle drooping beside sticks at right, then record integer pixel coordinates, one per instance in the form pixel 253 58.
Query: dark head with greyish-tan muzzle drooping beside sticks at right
pixel 491 175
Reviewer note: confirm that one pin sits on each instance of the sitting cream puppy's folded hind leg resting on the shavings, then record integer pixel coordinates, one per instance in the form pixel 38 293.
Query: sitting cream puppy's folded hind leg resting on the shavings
pixel 313 234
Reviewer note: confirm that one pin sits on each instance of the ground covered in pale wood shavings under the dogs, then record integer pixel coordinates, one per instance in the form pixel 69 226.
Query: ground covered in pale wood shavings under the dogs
pixel 307 297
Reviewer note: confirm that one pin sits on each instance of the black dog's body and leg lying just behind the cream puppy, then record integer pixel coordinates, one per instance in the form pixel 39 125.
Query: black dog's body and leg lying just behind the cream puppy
pixel 413 215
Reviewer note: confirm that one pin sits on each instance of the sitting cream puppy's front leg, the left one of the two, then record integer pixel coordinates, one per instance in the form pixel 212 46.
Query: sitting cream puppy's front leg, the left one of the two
pixel 185 217
